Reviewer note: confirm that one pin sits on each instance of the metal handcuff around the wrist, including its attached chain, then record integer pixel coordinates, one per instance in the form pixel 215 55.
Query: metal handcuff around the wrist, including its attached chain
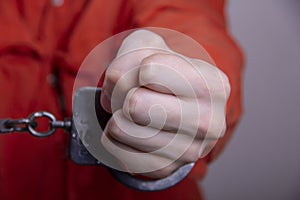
pixel 79 154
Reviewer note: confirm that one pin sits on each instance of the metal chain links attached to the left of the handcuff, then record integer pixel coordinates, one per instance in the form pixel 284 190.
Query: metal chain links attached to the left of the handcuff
pixel 29 124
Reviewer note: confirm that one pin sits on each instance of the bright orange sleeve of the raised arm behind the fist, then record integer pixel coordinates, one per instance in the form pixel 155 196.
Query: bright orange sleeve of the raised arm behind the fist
pixel 204 21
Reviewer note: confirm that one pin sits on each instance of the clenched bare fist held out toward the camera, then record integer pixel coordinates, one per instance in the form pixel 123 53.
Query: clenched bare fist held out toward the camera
pixel 168 109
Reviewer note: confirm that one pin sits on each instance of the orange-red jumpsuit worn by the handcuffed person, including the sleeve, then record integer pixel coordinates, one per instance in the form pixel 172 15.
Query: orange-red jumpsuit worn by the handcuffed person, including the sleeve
pixel 39 39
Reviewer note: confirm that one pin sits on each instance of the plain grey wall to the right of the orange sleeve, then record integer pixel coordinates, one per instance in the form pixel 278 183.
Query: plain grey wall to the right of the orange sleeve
pixel 262 161
